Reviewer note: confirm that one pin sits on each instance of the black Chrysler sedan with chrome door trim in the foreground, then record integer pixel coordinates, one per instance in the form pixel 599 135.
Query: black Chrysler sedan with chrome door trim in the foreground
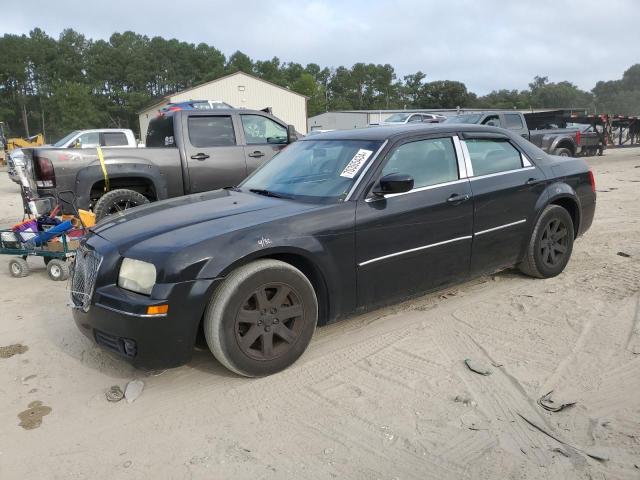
pixel 337 223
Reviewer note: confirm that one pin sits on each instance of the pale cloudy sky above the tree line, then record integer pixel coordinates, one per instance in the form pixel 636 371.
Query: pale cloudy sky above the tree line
pixel 487 44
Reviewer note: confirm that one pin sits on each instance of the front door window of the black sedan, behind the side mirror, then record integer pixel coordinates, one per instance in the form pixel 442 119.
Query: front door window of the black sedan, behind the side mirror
pixel 429 161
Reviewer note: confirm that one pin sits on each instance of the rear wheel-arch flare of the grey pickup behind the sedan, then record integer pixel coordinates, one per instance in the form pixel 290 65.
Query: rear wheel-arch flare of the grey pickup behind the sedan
pixel 90 175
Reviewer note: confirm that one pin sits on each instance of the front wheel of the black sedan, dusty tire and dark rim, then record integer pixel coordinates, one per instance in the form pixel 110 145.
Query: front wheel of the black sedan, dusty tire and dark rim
pixel 244 324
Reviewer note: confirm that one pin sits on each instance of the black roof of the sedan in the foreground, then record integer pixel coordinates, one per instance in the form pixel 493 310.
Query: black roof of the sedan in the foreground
pixel 389 132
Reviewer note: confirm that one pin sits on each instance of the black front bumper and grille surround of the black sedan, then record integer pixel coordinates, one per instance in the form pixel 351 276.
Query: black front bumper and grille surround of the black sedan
pixel 116 319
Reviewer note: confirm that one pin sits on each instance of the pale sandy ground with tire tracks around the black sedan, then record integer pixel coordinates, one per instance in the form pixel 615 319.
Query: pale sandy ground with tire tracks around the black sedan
pixel 384 395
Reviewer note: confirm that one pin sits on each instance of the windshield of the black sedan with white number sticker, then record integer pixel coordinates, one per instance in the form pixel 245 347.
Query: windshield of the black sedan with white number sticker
pixel 320 171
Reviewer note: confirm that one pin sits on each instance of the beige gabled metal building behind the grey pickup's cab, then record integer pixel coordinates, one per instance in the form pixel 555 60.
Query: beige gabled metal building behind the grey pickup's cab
pixel 241 91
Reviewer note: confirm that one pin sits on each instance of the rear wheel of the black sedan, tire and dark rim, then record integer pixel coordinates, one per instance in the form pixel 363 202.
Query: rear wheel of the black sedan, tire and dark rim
pixel 551 244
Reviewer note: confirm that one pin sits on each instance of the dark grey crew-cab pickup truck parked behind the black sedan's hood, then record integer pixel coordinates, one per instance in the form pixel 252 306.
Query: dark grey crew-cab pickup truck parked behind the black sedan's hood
pixel 186 152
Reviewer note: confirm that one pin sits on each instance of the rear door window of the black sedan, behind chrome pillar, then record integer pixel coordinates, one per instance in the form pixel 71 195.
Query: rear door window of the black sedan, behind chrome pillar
pixel 492 156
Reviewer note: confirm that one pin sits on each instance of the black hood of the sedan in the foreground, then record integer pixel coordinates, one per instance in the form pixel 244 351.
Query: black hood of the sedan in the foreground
pixel 211 208
